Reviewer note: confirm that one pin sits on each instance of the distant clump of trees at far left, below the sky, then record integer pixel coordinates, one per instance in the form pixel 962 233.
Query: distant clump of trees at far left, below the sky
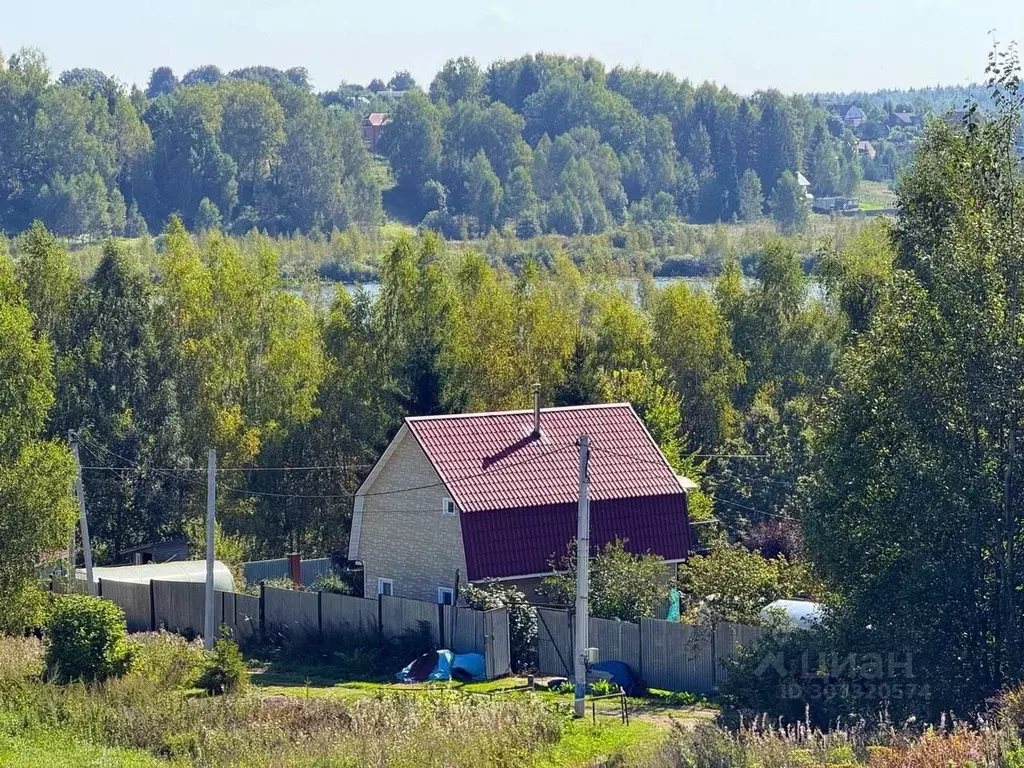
pixel 251 149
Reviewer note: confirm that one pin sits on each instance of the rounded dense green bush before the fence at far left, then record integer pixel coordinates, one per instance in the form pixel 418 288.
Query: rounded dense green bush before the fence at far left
pixel 88 639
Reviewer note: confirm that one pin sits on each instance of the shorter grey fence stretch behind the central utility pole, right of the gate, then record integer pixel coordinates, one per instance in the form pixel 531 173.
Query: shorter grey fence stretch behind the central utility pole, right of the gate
pixel 664 655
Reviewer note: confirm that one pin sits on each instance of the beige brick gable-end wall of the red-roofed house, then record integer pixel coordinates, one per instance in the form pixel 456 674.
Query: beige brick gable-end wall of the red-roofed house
pixel 404 536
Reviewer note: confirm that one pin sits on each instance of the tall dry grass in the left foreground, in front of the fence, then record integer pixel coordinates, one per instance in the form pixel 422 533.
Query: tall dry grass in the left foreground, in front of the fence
pixel 150 710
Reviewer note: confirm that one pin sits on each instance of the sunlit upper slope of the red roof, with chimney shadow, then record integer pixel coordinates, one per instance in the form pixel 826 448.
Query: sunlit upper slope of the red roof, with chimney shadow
pixel 492 461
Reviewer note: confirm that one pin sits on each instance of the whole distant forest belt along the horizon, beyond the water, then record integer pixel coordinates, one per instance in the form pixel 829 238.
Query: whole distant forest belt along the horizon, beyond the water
pixel 542 144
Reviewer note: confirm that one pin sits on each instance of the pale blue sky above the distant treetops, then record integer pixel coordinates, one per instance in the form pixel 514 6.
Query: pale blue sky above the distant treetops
pixel 796 46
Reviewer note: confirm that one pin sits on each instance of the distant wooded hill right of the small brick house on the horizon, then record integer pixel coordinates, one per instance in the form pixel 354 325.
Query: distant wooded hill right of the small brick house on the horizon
pixel 550 144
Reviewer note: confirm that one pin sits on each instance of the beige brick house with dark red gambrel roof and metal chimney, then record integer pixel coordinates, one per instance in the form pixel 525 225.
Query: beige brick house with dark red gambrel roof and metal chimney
pixel 479 497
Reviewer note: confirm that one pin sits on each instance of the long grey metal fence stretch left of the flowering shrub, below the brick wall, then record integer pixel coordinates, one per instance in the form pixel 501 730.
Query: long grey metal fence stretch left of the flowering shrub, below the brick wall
pixel 180 607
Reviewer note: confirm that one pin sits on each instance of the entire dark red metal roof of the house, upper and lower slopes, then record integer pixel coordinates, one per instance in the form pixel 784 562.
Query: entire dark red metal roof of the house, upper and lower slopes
pixel 519 495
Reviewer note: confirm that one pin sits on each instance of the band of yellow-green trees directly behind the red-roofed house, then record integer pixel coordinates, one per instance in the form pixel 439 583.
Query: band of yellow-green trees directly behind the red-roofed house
pixel 220 353
